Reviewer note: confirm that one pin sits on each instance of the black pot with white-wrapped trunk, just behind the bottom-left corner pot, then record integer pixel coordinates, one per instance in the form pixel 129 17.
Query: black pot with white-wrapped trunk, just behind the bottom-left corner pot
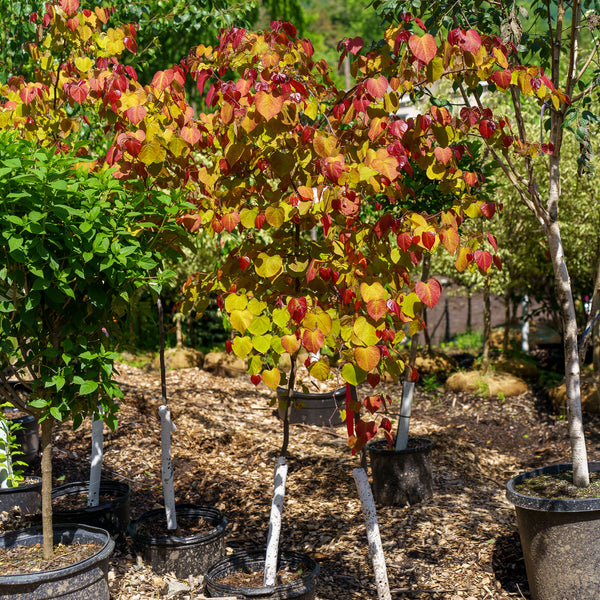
pixel 112 515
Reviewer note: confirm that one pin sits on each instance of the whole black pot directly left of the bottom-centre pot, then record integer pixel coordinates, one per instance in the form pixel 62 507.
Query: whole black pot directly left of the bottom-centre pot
pixel 183 556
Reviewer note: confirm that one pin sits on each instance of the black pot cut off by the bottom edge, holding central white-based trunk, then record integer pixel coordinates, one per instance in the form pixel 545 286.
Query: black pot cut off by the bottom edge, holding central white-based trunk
pixel 251 561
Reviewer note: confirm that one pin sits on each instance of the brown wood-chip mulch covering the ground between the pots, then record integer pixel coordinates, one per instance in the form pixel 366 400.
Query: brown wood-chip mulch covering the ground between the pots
pixel 460 544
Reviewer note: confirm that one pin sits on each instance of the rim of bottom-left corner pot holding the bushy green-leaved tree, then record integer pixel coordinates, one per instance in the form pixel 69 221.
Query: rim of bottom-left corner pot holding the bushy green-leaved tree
pixel 41 576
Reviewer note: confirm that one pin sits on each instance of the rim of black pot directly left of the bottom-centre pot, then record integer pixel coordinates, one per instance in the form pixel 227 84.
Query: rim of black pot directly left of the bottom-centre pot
pixel 174 540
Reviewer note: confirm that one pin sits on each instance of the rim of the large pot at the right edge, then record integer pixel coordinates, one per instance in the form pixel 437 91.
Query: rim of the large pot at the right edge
pixel 550 504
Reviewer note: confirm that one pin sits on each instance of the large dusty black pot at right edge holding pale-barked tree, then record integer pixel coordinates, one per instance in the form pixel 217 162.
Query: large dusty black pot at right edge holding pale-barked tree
pixel 559 539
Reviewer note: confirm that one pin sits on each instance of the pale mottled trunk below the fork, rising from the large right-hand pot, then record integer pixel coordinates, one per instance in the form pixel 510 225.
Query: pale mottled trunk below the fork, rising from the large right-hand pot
pixel 572 374
